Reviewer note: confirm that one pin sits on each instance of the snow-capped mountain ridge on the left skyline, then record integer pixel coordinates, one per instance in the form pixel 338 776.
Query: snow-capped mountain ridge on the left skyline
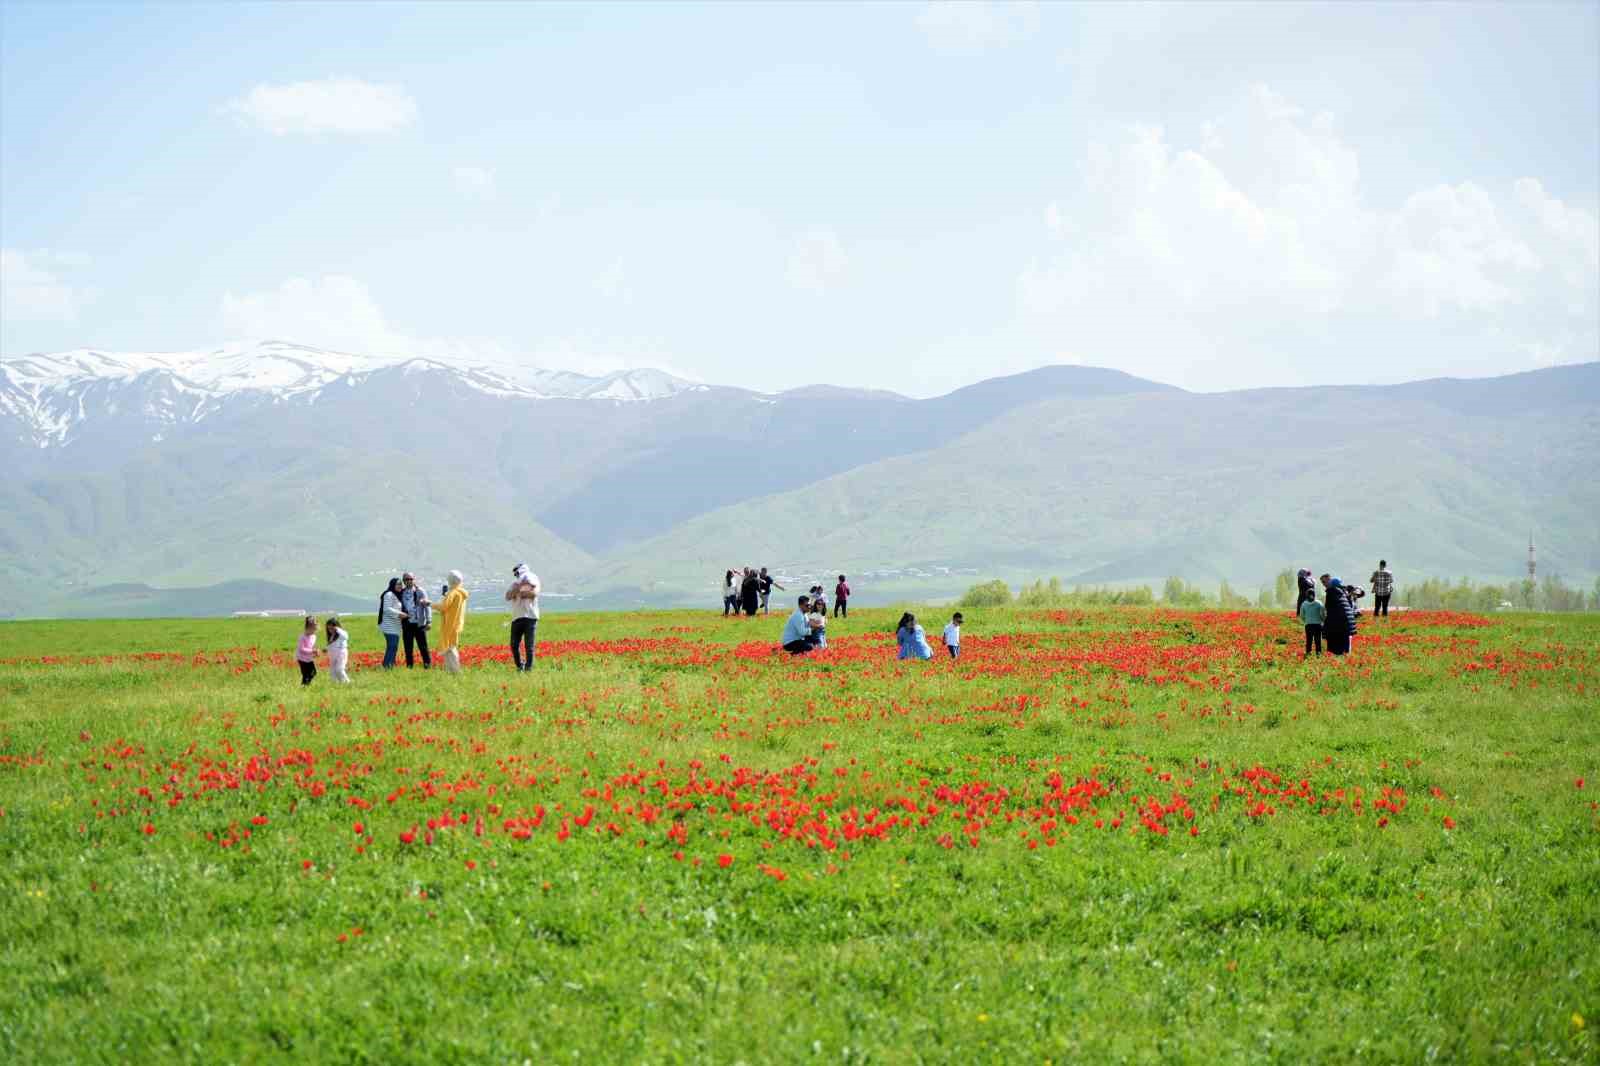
pixel 52 398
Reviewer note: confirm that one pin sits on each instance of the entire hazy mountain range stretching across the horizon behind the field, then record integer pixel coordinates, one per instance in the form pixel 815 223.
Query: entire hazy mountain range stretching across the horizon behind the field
pixel 326 471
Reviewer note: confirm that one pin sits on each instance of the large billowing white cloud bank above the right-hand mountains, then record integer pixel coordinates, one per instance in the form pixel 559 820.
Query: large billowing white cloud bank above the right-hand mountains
pixel 1226 263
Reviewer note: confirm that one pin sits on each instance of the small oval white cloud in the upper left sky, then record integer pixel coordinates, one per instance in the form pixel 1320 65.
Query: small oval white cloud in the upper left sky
pixel 337 105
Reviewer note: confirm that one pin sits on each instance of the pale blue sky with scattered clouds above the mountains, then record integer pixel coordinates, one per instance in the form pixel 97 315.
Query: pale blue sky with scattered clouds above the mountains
pixel 890 196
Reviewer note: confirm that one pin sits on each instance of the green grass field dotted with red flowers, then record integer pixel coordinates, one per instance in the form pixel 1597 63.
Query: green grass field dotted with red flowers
pixel 1114 836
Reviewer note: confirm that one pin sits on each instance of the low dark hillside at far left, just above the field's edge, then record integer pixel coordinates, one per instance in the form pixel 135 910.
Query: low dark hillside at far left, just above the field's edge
pixel 142 601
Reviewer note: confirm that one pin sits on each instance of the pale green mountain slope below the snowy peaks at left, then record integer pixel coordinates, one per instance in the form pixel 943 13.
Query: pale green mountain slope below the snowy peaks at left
pixel 326 518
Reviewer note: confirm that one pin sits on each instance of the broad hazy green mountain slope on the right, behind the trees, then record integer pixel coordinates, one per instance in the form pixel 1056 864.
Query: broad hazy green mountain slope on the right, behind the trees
pixel 1212 487
